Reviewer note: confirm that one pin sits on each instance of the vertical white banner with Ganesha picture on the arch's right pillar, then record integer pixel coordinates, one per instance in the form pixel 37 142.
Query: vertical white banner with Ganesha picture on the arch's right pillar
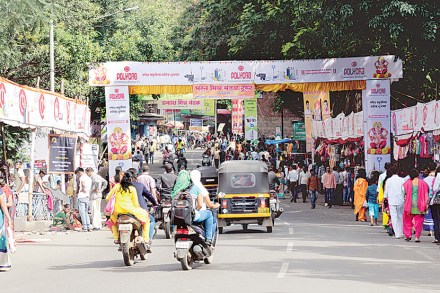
pixel 377 115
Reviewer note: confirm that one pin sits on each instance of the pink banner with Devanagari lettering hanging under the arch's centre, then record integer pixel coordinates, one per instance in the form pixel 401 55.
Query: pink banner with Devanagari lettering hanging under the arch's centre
pixel 224 92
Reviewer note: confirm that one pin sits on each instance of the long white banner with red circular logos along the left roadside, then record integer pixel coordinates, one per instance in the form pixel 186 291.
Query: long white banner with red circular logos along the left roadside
pixel 24 106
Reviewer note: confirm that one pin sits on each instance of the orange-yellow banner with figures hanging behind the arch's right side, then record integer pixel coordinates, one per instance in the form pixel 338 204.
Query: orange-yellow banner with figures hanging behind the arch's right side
pixel 313 112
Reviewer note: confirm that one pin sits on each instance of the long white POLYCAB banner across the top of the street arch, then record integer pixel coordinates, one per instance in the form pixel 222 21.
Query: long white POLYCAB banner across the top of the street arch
pixel 233 72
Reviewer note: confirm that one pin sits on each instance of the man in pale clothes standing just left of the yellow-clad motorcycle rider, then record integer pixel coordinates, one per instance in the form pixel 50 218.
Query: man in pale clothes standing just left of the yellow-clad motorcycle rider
pixel 98 186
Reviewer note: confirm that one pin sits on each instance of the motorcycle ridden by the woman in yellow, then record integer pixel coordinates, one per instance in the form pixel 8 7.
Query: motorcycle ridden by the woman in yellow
pixel 131 243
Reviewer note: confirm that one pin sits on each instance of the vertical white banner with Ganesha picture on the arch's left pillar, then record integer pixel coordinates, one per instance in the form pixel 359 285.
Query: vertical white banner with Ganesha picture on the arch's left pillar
pixel 118 128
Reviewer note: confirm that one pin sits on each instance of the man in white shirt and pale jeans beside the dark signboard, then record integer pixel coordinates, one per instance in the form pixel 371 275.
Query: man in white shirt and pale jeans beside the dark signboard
pixel 85 186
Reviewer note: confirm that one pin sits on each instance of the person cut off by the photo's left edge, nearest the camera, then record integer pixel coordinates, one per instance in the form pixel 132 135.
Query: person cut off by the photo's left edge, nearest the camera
pixel 5 223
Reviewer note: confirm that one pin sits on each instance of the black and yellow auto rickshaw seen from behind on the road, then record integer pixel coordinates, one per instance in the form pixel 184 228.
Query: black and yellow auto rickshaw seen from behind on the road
pixel 244 196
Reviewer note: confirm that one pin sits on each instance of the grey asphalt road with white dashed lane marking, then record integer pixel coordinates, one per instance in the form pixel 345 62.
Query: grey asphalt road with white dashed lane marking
pixel 321 250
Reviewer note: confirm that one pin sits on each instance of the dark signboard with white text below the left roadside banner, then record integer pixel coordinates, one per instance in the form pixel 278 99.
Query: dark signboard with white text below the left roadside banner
pixel 62 150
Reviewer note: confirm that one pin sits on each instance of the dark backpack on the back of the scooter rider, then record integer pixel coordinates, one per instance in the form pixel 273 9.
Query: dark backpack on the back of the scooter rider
pixel 182 210
